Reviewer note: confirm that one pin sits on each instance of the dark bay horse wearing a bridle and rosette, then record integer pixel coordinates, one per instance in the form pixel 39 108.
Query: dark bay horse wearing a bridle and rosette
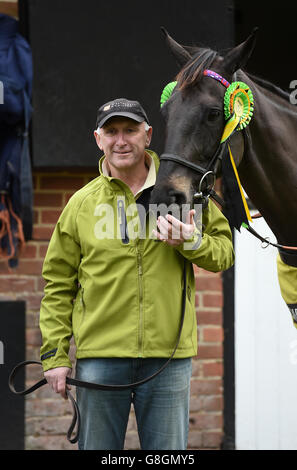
pixel 265 154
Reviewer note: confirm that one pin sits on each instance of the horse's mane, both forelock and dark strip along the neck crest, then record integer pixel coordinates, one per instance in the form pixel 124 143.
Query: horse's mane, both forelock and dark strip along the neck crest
pixel 203 58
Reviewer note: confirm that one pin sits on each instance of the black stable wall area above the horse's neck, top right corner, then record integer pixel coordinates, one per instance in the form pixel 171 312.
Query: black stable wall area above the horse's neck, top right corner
pixel 274 56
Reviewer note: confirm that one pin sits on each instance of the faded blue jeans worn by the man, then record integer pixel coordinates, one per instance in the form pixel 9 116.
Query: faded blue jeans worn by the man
pixel 161 405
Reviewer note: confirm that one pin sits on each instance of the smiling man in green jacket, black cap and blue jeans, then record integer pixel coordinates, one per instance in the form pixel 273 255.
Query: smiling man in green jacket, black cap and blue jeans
pixel 127 291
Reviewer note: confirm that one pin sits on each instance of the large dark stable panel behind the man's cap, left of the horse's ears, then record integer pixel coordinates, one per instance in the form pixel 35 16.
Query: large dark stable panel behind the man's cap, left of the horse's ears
pixel 88 52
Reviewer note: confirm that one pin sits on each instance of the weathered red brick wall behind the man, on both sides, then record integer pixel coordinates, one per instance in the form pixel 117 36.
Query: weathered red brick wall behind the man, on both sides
pixel 47 414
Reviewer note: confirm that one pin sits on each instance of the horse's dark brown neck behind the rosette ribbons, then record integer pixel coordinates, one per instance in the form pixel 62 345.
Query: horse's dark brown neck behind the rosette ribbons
pixel 268 169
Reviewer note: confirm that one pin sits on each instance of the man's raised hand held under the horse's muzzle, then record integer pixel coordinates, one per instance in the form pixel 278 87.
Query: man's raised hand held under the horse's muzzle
pixel 173 231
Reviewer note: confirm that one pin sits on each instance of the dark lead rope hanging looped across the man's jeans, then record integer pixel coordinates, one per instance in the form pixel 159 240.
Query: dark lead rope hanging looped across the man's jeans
pixel 96 386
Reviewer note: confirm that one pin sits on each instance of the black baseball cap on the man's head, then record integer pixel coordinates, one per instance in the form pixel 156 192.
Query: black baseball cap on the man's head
pixel 121 107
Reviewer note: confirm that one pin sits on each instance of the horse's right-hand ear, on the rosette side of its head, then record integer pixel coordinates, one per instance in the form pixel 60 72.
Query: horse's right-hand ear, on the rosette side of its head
pixel 239 55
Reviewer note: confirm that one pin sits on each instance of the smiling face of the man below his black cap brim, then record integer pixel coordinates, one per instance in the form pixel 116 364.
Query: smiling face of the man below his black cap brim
pixel 123 142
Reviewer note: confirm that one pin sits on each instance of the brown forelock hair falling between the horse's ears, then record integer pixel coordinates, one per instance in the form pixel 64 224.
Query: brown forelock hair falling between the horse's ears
pixel 192 72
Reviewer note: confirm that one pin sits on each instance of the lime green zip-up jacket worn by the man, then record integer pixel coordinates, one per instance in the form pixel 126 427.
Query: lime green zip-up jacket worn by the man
pixel 121 296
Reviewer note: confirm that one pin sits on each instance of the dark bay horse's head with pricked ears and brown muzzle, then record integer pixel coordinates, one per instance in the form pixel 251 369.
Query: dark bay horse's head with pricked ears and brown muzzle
pixel 195 120
